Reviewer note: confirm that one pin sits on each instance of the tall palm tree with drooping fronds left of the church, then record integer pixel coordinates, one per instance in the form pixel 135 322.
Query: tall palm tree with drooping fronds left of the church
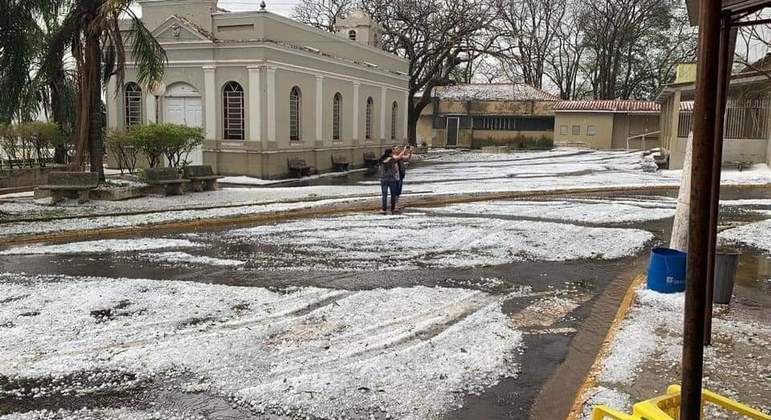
pixel 94 35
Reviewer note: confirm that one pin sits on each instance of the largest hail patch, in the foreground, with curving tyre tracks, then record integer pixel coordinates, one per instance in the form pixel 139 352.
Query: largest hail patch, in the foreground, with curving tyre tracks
pixel 402 352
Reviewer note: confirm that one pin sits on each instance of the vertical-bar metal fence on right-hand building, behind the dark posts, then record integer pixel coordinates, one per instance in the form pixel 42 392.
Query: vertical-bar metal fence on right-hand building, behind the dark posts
pixel 744 119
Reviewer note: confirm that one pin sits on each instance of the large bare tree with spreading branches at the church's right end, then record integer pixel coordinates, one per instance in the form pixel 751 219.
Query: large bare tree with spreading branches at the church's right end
pixel 436 37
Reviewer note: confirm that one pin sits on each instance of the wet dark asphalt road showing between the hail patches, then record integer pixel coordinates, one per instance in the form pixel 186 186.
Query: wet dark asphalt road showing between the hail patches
pixel 603 283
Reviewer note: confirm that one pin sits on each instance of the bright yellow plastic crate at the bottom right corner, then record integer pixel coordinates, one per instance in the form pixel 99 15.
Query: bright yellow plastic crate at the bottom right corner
pixel 667 407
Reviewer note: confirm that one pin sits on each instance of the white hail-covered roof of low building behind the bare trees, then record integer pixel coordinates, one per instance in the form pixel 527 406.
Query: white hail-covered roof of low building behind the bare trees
pixel 493 92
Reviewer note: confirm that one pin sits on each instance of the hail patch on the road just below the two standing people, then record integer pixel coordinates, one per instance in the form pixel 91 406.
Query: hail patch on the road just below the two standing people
pixel 415 241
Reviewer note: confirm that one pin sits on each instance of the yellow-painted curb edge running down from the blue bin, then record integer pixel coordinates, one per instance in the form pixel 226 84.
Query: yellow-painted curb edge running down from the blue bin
pixel 591 377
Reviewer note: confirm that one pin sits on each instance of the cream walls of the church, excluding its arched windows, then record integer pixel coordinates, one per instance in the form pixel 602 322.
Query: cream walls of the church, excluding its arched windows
pixel 264 67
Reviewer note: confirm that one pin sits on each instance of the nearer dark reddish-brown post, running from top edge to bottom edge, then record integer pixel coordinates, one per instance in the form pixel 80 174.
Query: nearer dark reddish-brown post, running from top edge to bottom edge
pixel 699 215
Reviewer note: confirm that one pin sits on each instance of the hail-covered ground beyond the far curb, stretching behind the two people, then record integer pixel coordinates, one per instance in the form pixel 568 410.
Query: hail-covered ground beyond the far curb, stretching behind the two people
pixel 441 172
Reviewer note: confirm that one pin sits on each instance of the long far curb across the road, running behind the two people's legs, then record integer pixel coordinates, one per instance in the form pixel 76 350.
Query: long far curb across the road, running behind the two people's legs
pixel 358 203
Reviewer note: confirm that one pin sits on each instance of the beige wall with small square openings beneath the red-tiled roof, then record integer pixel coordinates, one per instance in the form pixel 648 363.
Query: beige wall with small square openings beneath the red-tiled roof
pixel 603 123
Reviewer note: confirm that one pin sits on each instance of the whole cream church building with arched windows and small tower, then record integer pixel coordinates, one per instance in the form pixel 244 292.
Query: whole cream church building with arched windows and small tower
pixel 267 89
